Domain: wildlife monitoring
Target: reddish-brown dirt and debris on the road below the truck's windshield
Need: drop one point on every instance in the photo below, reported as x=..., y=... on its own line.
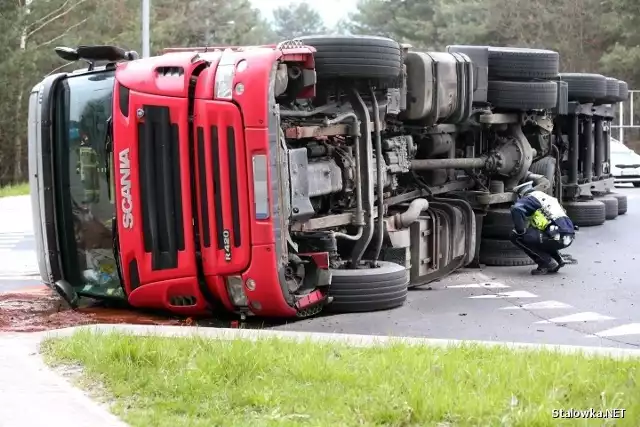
x=42, y=309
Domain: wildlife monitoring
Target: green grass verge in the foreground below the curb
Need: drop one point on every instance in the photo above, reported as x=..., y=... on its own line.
x=193, y=382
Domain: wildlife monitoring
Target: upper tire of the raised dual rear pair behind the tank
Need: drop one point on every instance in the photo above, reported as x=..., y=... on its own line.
x=518, y=63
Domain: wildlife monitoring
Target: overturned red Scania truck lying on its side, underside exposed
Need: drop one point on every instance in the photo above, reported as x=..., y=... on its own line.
x=328, y=172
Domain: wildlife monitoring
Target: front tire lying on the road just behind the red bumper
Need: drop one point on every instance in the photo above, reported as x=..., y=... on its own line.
x=372, y=289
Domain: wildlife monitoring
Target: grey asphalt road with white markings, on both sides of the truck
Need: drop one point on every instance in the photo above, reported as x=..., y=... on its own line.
x=592, y=303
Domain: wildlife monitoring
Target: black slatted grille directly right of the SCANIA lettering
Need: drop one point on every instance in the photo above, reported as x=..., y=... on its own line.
x=160, y=190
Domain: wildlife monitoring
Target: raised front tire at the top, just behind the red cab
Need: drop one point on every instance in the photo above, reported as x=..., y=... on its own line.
x=356, y=57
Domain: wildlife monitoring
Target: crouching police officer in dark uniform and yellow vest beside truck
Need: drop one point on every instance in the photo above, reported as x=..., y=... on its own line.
x=541, y=228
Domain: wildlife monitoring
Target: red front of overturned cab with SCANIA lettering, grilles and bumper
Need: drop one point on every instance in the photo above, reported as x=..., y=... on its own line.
x=195, y=136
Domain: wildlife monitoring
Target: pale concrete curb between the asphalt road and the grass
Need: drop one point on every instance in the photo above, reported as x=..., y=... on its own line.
x=349, y=339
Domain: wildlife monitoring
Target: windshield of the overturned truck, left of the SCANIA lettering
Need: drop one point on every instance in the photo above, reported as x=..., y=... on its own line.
x=85, y=210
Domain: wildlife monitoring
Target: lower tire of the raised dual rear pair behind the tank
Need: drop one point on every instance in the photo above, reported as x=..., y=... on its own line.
x=523, y=96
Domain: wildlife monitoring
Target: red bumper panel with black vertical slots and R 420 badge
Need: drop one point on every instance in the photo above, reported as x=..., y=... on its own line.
x=222, y=188
